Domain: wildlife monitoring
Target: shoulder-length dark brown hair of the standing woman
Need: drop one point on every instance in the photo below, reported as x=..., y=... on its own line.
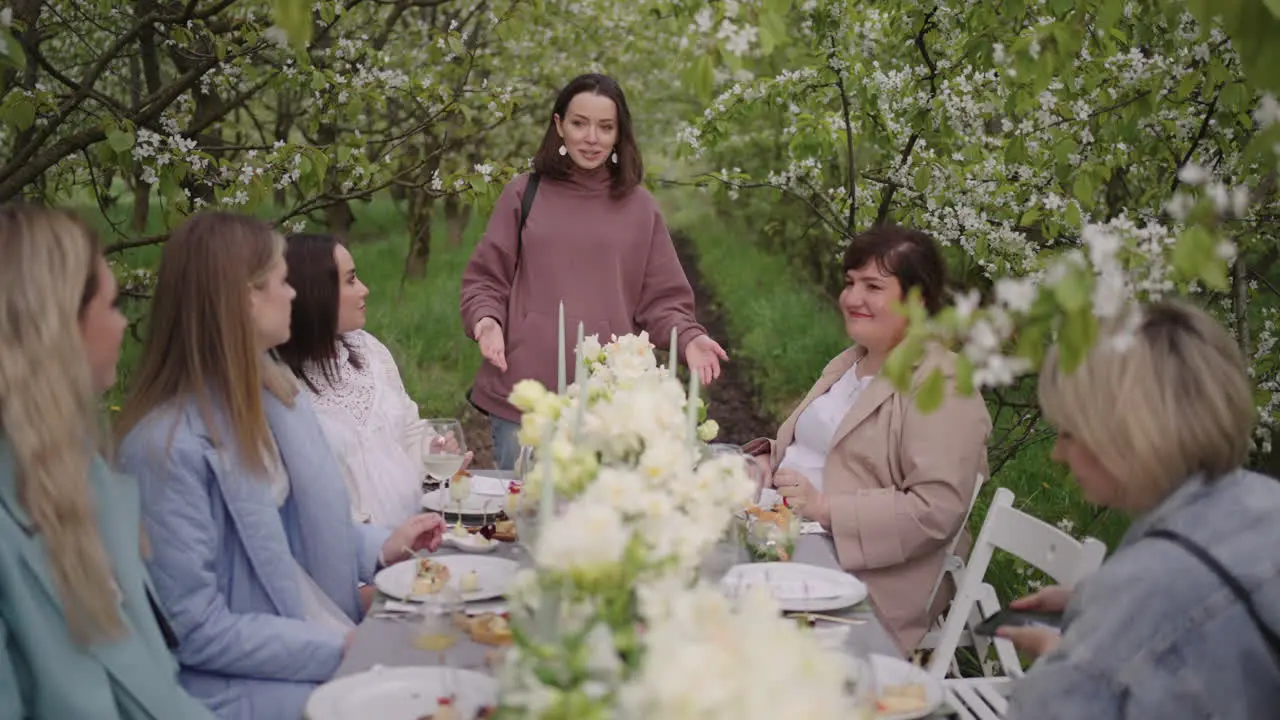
x=628, y=172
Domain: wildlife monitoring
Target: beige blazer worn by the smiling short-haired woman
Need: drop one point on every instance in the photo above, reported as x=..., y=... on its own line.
x=899, y=485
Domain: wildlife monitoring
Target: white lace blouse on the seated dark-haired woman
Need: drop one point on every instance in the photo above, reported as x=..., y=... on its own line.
x=374, y=430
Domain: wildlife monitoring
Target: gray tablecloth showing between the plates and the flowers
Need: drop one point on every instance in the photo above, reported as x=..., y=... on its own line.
x=390, y=641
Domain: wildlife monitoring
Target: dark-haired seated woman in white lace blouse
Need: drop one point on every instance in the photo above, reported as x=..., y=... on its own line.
x=372, y=423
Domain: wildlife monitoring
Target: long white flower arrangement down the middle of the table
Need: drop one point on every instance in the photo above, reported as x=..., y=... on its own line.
x=641, y=507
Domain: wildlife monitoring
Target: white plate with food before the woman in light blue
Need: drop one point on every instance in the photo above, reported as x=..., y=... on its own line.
x=476, y=577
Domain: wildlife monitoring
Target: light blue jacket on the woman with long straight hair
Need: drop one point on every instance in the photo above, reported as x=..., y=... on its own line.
x=223, y=557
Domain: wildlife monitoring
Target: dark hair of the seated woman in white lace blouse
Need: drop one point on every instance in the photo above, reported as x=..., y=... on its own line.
x=314, y=331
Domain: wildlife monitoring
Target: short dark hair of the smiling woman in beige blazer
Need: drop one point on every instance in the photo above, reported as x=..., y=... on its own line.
x=912, y=257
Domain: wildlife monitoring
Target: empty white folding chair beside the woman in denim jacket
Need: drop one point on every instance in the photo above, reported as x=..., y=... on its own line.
x=1048, y=549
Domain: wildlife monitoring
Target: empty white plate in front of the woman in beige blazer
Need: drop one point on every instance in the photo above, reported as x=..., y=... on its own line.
x=797, y=586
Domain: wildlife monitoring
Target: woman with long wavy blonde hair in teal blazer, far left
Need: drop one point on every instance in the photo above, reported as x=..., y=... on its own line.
x=80, y=635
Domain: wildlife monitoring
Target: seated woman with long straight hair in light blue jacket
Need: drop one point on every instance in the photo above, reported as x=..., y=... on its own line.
x=257, y=557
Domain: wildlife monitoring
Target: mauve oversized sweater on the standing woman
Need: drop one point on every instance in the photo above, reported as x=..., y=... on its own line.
x=611, y=261
